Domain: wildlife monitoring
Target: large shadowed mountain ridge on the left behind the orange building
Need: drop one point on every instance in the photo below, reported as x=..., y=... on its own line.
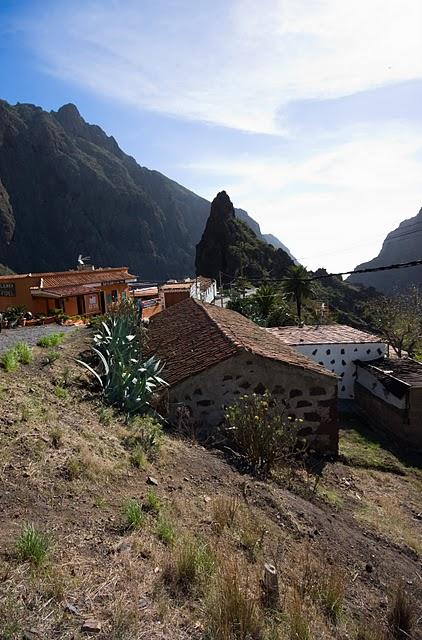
x=67, y=188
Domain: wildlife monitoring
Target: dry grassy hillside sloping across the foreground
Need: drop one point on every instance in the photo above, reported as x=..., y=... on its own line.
x=203, y=534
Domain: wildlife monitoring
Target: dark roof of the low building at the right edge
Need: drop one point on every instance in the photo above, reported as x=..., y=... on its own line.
x=395, y=370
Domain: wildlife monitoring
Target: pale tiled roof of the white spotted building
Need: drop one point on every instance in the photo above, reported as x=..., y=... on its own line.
x=323, y=334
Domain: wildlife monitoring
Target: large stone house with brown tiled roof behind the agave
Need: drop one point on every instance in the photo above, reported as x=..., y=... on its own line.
x=214, y=355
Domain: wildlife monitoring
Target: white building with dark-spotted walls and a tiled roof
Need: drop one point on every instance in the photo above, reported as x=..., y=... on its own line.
x=336, y=347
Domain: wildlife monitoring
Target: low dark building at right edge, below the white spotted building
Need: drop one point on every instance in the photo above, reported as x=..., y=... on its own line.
x=389, y=394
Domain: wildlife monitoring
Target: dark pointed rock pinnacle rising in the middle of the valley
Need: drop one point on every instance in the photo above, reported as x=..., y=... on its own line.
x=229, y=246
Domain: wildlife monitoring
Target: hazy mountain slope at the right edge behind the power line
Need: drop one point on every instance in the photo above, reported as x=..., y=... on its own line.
x=404, y=244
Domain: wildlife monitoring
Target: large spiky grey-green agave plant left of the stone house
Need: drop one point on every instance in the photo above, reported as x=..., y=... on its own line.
x=127, y=380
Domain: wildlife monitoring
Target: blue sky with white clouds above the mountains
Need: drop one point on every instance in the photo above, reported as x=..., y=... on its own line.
x=307, y=112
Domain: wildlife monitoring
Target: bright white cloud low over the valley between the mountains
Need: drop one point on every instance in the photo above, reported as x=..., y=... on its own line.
x=335, y=206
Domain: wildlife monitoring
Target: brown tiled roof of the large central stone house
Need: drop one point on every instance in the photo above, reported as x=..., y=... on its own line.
x=192, y=336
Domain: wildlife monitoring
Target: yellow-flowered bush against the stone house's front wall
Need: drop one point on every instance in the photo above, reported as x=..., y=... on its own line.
x=262, y=432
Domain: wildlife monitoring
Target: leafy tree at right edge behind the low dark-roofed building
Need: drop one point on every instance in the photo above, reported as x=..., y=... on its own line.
x=398, y=319
